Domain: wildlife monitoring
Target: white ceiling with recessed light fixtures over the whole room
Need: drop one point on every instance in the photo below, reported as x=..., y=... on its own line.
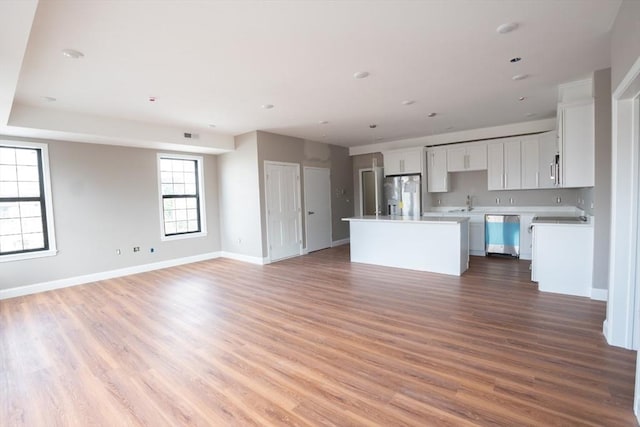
x=217, y=62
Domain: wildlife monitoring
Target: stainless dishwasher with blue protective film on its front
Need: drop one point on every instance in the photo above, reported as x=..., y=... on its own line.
x=502, y=234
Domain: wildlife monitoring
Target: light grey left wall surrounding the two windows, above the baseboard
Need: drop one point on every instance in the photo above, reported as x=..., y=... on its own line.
x=106, y=198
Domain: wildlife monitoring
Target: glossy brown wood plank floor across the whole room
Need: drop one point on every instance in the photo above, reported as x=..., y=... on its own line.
x=311, y=341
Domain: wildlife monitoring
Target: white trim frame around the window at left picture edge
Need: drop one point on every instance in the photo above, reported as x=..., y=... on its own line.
x=48, y=201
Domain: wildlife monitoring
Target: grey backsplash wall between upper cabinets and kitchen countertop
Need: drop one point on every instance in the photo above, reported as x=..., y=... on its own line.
x=474, y=184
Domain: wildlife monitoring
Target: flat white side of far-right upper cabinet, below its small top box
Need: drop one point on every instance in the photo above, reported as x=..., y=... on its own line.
x=578, y=145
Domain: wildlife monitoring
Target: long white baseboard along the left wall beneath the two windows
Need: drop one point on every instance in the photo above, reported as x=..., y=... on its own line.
x=104, y=275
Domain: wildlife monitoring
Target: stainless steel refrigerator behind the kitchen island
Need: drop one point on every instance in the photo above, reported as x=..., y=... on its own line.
x=403, y=195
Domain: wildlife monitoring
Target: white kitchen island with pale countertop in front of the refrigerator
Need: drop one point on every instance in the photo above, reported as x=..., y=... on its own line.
x=434, y=244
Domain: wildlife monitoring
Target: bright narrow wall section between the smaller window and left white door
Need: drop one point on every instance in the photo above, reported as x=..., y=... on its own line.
x=240, y=227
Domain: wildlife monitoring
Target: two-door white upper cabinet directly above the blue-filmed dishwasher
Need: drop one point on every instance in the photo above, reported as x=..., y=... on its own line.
x=503, y=161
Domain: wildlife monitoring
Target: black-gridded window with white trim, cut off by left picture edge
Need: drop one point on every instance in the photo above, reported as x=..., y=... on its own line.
x=26, y=218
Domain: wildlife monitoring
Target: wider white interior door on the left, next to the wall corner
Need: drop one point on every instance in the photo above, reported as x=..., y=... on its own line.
x=284, y=229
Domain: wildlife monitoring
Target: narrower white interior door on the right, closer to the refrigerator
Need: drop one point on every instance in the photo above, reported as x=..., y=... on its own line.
x=317, y=201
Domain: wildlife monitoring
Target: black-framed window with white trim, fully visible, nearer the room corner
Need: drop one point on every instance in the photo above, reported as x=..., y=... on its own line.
x=181, y=196
